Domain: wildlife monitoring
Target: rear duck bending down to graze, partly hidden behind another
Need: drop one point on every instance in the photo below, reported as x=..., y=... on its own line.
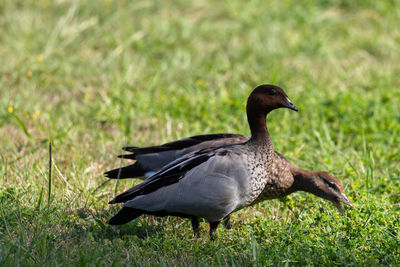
x=151, y=159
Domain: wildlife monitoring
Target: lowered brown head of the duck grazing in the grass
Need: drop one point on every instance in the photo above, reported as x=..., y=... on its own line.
x=330, y=188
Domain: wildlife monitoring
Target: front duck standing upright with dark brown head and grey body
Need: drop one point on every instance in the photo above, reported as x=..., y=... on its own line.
x=213, y=182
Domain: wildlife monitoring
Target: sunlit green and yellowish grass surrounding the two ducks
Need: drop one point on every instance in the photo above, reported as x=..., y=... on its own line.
x=93, y=76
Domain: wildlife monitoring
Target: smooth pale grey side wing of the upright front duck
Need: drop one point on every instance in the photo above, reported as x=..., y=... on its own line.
x=211, y=190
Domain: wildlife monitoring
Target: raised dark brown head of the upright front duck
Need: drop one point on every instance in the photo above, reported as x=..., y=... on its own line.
x=267, y=97
